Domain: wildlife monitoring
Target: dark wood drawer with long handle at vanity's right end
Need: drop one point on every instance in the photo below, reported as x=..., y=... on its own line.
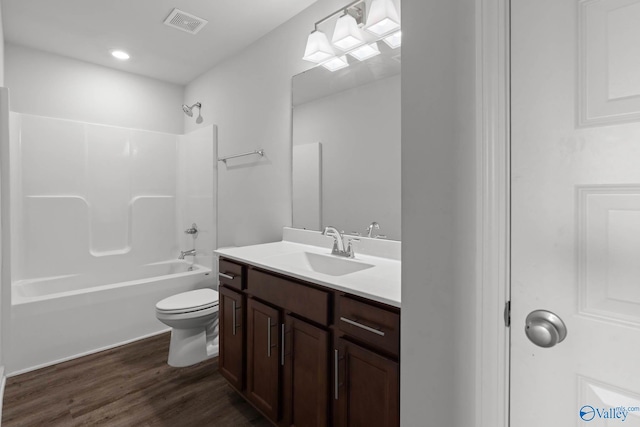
x=369, y=323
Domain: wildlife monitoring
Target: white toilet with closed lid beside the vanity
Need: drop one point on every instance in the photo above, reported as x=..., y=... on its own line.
x=193, y=317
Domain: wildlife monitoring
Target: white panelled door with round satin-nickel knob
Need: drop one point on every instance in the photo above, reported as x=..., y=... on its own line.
x=575, y=165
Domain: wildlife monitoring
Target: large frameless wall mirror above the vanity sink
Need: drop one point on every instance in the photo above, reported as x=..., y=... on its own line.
x=346, y=146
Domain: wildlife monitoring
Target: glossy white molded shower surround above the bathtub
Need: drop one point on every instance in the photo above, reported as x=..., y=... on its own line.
x=89, y=198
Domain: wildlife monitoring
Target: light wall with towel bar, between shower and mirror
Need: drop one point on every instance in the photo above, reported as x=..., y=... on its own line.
x=249, y=98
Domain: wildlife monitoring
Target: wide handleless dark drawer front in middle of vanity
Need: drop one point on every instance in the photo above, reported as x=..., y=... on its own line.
x=303, y=300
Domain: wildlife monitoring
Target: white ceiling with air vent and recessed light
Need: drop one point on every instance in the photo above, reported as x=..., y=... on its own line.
x=88, y=29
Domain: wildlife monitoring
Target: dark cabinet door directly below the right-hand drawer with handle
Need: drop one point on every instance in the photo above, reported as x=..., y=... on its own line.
x=366, y=387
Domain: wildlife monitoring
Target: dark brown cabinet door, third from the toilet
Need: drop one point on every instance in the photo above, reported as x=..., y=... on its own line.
x=306, y=374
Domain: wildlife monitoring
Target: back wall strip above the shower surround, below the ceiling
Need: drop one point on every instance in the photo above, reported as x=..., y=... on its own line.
x=50, y=85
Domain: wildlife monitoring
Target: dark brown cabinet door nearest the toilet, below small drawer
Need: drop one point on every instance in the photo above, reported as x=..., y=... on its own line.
x=231, y=331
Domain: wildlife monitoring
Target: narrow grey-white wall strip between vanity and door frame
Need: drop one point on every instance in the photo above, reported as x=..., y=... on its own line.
x=438, y=213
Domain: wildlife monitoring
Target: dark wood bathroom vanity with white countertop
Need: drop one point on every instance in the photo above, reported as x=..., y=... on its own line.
x=309, y=344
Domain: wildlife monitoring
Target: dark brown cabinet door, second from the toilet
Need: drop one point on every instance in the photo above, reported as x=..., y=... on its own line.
x=263, y=357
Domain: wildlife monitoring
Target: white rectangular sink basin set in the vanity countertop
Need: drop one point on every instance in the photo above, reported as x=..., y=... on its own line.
x=319, y=263
